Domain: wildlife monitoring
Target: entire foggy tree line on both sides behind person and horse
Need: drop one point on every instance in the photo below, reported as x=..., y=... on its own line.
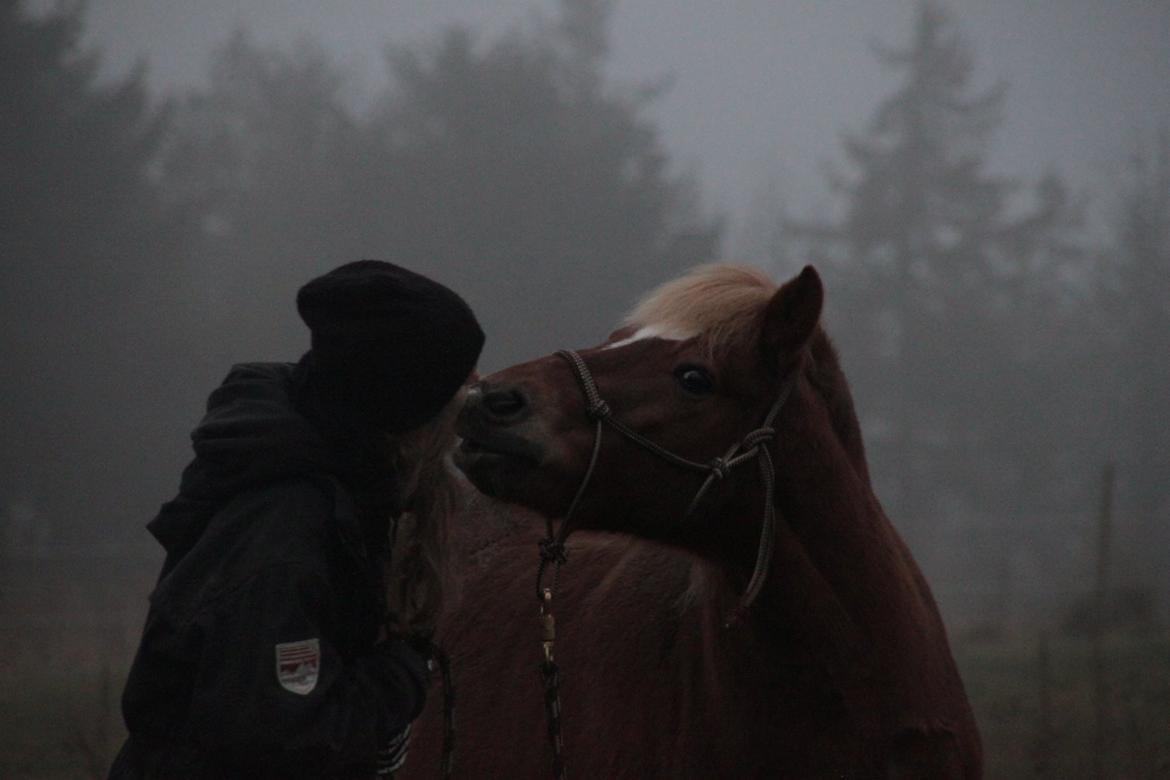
x=1001, y=355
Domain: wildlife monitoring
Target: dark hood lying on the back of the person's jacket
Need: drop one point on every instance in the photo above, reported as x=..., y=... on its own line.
x=251, y=436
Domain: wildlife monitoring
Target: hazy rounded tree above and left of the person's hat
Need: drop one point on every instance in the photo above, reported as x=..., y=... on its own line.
x=270, y=156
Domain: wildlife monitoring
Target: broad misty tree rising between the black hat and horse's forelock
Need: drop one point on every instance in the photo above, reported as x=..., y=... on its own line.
x=541, y=184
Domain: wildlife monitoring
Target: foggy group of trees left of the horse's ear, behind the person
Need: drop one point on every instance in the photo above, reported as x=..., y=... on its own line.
x=149, y=246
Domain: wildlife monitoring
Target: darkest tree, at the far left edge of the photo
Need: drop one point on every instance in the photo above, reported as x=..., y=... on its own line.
x=90, y=300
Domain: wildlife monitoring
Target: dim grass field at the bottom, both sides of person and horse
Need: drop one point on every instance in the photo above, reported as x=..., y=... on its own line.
x=61, y=722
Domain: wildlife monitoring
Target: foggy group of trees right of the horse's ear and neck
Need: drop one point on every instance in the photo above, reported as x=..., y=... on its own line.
x=1003, y=356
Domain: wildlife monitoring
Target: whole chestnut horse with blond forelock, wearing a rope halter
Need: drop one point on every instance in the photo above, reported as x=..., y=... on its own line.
x=841, y=667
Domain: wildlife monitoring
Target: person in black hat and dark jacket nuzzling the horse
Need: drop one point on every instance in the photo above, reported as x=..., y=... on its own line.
x=304, y=551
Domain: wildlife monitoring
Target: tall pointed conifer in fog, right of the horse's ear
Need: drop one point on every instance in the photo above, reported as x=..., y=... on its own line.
x=938, y=261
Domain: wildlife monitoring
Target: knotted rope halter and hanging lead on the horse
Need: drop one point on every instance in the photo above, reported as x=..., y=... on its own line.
x=753, y=446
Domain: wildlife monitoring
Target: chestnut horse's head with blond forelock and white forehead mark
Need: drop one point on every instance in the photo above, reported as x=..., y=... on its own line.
x=694, y=371
